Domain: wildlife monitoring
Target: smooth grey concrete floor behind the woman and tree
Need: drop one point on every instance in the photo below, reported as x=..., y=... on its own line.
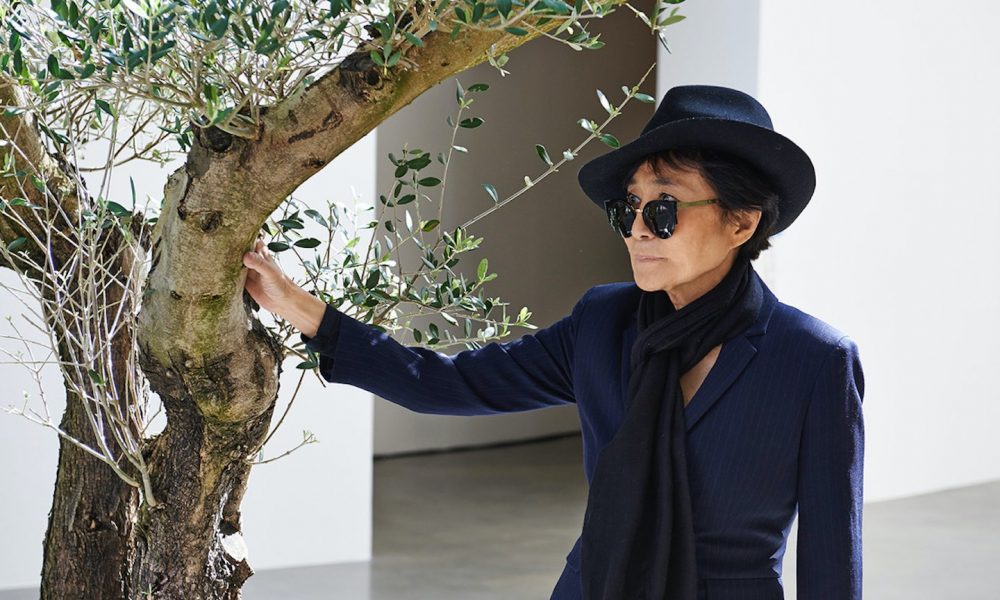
x=496, y=524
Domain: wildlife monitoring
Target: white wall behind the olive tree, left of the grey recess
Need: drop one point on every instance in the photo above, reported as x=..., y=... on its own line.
x=311, y=507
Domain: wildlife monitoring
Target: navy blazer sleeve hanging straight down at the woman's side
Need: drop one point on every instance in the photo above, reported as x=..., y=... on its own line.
x=830, y=490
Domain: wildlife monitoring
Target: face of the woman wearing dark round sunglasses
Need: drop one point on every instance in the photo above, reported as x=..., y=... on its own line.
x=702, y=248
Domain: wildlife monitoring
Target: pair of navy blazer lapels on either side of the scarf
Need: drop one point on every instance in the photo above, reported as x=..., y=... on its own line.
x=733, y=360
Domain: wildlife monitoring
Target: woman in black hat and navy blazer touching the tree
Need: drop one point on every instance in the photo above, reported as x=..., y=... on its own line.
x=711, y=412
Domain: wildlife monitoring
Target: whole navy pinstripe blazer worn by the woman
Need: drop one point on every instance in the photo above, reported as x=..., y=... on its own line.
x=775, y=430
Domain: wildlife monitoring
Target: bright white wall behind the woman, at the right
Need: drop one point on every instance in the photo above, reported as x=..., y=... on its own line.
x=896, y=104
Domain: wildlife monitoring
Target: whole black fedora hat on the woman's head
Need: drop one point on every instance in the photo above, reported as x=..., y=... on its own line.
x=717, y=118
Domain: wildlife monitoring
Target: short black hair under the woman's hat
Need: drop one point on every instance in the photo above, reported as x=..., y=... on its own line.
x=739, y=186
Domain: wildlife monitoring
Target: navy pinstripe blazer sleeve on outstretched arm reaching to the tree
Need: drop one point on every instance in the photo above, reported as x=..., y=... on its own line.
x=531, y=372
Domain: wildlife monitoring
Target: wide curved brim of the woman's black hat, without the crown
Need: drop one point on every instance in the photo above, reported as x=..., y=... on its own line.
x=779, y=159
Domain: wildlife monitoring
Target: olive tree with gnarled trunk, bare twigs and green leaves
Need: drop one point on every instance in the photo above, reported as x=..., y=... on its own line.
x=253, y=97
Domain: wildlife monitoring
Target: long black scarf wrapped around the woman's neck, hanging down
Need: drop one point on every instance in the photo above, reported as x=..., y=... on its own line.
x=638, y=532
